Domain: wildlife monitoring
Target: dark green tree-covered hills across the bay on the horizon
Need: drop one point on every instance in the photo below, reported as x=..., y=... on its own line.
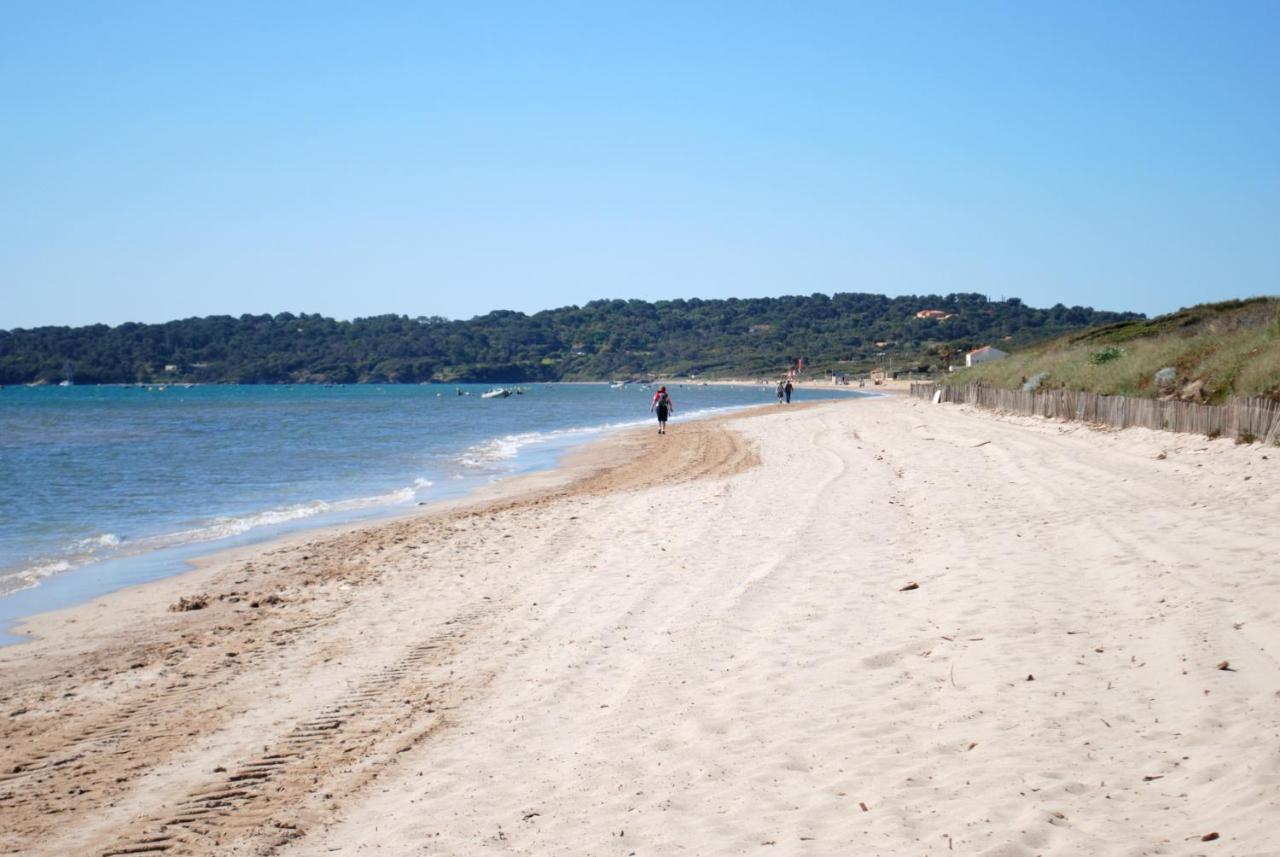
x=844, y=333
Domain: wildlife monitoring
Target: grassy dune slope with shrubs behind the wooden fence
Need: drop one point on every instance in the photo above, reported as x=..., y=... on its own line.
x=1209, y=354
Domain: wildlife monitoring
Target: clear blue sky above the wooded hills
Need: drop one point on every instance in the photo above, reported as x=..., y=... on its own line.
x=176, y=159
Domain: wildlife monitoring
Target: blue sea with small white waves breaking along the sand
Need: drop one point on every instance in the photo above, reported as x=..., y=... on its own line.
x=108, y=487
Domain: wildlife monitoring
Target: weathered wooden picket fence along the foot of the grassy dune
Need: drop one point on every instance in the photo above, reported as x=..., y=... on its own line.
x=1241, y=419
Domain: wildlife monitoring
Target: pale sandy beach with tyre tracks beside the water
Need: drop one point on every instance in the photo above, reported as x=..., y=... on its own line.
x=858, y=627
